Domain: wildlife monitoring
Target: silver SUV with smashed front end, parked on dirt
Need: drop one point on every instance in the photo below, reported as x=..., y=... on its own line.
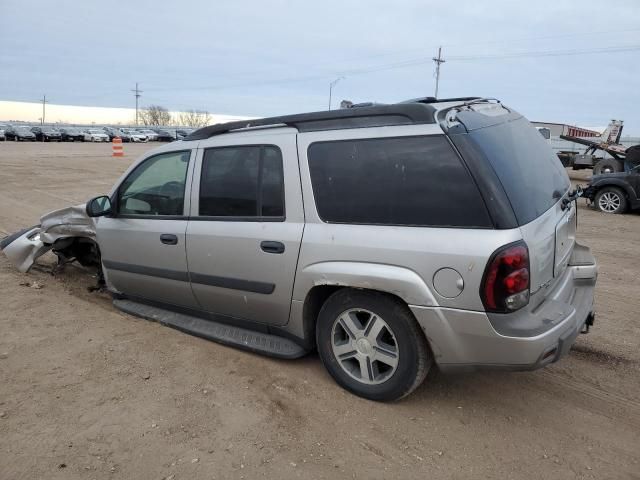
x=388, y=237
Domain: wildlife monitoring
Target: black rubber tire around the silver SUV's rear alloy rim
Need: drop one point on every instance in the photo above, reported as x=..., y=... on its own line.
x=413, y=355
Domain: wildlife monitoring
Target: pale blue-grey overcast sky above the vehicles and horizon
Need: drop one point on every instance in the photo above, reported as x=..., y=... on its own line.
x=556, y=61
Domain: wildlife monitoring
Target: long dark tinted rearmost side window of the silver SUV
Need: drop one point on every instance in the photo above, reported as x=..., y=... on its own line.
x=394, y=181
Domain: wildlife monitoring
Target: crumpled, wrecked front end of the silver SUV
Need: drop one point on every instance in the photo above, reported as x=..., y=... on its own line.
x=70, y=233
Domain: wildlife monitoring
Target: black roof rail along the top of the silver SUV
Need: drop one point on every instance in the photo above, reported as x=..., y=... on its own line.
x=370, y=116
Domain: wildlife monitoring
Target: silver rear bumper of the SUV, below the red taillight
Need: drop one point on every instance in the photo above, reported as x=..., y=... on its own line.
x=464, y=340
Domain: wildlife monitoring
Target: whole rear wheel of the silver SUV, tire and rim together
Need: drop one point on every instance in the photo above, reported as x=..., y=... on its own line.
x=384, y=357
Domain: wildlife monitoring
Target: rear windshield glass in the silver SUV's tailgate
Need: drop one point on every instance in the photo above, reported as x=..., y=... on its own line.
x=530, y=173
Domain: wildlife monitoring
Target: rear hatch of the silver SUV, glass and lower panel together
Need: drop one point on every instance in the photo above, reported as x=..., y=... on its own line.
x=534, y=183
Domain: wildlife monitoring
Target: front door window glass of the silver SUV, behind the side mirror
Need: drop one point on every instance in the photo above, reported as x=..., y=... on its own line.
x=156, y=186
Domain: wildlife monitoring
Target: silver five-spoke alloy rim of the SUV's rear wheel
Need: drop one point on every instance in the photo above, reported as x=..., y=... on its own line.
x=364, y=346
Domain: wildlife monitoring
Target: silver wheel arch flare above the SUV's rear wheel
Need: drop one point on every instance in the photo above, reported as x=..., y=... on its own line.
x=399, y=281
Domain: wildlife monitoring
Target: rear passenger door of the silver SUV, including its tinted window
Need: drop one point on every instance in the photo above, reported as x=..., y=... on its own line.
x=246, y=225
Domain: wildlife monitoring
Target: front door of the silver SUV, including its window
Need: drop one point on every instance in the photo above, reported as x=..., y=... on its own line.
x=143, y=243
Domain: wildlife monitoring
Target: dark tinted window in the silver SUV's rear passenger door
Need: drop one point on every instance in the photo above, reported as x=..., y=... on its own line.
x=245, y=181
